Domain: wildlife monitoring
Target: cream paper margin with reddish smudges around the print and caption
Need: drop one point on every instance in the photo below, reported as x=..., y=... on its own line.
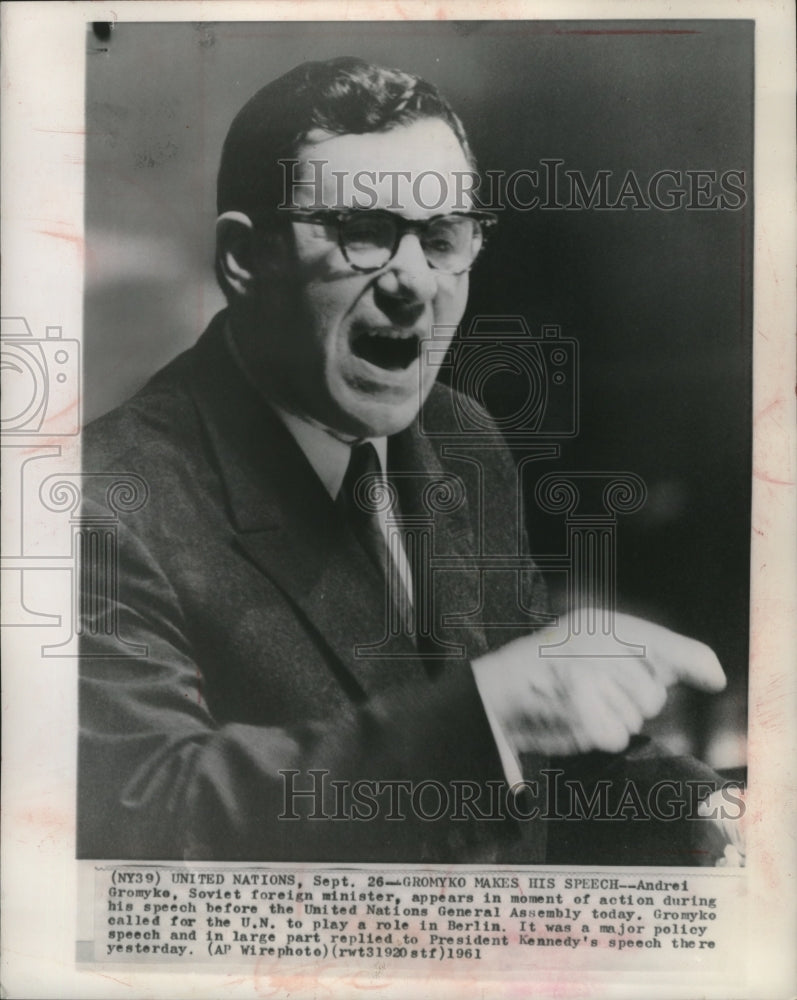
x=43, y=154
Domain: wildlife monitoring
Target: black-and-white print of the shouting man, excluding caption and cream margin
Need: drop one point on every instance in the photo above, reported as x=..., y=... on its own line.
x=450, y=503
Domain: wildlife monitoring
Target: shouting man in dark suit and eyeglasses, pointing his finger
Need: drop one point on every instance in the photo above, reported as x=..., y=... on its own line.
x=304, y=691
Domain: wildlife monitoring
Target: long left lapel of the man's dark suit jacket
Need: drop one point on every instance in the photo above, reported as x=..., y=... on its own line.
x=289, y=527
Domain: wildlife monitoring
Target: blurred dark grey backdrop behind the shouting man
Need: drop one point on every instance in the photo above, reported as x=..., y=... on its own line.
x=660, y=302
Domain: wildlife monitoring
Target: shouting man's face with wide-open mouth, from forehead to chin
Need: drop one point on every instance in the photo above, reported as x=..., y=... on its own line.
x=346, y=352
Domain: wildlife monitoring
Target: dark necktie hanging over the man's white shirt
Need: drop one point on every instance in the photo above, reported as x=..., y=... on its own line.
x=363, y=479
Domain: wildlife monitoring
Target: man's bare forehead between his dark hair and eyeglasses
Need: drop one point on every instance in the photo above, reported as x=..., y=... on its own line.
x=416, y=169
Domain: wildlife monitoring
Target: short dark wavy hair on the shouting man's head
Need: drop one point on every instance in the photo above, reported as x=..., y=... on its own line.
x=341, y=96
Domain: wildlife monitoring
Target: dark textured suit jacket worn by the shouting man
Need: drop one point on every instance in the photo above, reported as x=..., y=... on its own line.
x=249, y=592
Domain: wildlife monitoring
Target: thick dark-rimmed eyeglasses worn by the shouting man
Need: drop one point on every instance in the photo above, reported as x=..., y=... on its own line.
x=369, y=238
